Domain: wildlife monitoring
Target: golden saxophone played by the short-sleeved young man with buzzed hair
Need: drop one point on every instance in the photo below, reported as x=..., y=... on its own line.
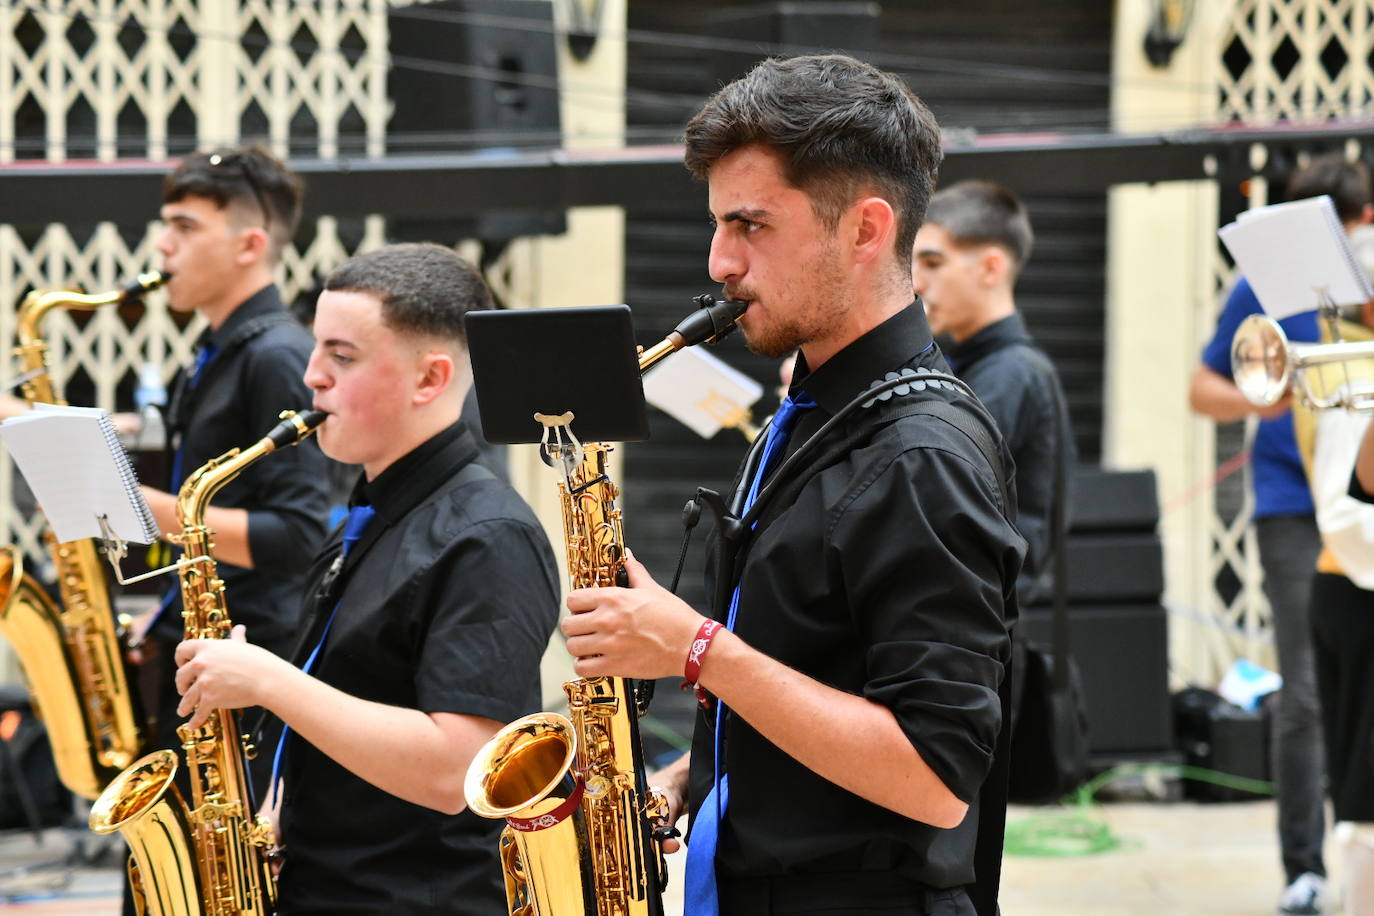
x=210, y=859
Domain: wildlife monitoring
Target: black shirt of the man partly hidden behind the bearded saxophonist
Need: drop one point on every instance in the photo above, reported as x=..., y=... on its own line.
x=1020, y=388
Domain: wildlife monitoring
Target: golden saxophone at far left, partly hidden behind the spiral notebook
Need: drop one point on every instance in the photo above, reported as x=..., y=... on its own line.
x=72, y=657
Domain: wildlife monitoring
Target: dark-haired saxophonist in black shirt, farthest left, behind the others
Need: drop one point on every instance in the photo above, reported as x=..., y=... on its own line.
x=227, y=216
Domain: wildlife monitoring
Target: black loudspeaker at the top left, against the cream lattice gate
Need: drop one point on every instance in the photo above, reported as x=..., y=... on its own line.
x=475, y=76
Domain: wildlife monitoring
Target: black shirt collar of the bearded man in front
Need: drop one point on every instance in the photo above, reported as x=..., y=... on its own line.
x=888, y=347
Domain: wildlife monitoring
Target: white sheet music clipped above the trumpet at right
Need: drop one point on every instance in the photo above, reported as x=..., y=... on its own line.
x=1292, y=253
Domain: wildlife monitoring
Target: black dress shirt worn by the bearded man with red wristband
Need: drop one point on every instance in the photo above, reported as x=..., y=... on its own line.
x=888, y=577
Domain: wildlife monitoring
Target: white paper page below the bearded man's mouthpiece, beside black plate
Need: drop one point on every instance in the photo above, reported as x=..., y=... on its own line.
x=700, y=391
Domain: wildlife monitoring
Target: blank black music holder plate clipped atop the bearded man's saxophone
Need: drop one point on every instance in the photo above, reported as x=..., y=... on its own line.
x=554, y=362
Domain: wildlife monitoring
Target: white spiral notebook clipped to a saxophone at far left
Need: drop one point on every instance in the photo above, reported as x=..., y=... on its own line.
x=78, y=470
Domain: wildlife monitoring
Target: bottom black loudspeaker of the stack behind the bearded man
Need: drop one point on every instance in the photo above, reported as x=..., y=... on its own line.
x=1122, y=653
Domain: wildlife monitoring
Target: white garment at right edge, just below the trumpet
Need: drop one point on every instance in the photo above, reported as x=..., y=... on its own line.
x=1347, y=524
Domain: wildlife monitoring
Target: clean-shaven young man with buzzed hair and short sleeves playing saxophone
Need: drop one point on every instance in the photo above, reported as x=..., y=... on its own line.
x=429, y=613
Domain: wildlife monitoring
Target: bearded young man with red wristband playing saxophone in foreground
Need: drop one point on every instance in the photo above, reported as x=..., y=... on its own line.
x=866, y=638
